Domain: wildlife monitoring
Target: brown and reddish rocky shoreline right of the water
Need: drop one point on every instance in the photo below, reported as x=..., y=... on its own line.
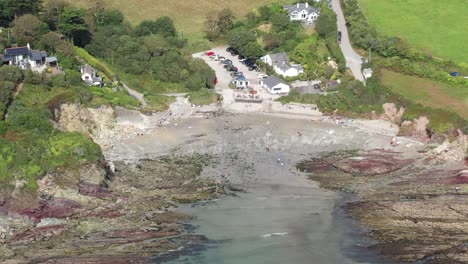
x=415, y=205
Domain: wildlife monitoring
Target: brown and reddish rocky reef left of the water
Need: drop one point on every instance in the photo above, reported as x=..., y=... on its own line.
x=96, y=216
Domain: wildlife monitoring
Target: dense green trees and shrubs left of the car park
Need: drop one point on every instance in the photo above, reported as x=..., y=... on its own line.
x=152, y=48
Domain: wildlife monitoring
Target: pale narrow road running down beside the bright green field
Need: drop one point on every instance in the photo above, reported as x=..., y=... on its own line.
x=353, y=59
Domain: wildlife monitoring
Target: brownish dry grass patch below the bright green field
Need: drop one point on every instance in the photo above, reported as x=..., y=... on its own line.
x=427, y=92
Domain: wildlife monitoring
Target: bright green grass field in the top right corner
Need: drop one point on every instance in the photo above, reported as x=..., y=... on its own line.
x=438, y=27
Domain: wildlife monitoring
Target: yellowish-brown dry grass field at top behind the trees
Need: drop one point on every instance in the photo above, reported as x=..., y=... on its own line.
x=188, y=15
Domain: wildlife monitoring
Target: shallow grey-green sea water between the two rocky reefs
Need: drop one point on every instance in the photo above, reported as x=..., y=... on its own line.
x=269, y=225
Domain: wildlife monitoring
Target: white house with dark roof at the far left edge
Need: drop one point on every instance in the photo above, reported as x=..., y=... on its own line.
x=24, y=57
